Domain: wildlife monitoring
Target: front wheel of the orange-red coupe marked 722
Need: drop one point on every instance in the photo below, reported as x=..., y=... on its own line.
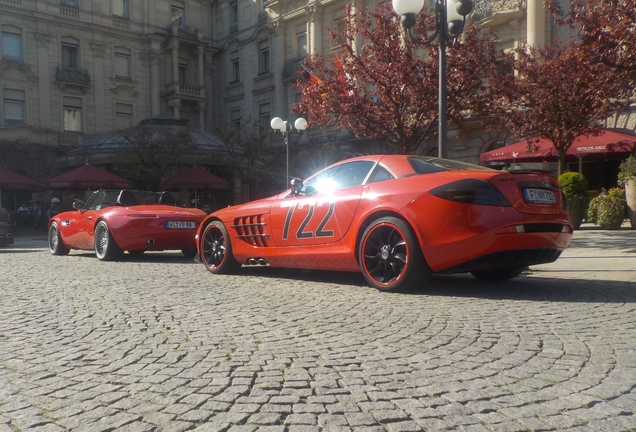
x=216, y=249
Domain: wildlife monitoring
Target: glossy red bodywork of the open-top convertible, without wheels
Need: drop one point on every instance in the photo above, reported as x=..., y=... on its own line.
x=134, y=228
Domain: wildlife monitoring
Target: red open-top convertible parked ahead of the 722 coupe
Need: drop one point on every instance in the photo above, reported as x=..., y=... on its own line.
x=113, y=221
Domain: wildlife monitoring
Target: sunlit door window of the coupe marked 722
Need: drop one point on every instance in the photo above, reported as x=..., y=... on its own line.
x=339, y=177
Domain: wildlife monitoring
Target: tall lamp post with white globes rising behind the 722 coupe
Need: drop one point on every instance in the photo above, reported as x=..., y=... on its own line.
x=450, y=18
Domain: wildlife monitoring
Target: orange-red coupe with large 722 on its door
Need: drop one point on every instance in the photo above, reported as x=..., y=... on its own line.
x=398, y=219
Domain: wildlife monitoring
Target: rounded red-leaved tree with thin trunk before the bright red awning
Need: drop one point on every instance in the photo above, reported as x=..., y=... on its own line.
x=550, y=93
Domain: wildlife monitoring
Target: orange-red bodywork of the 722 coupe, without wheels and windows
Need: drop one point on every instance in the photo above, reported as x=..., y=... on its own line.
x=322, y=231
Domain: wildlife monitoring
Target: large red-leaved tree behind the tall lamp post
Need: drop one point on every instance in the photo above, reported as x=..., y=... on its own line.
x=385, y=90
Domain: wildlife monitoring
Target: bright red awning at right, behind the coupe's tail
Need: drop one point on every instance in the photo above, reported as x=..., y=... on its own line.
x=607, y=145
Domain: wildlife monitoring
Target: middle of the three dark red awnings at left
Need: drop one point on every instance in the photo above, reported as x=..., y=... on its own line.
x=88, y=176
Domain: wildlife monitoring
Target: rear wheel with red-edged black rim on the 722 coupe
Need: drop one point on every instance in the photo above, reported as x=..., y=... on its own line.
x=390, y=256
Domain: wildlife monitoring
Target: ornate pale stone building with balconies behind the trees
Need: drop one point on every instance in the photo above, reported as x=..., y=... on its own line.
x=74, y=69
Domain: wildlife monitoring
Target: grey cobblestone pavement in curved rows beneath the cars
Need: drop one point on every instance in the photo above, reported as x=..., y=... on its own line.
x=158, y=343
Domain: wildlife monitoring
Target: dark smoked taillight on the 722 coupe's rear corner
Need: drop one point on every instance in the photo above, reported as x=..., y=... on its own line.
x=471, y=191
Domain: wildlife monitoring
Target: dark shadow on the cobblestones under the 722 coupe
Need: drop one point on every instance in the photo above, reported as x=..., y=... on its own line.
x=521, y=288
